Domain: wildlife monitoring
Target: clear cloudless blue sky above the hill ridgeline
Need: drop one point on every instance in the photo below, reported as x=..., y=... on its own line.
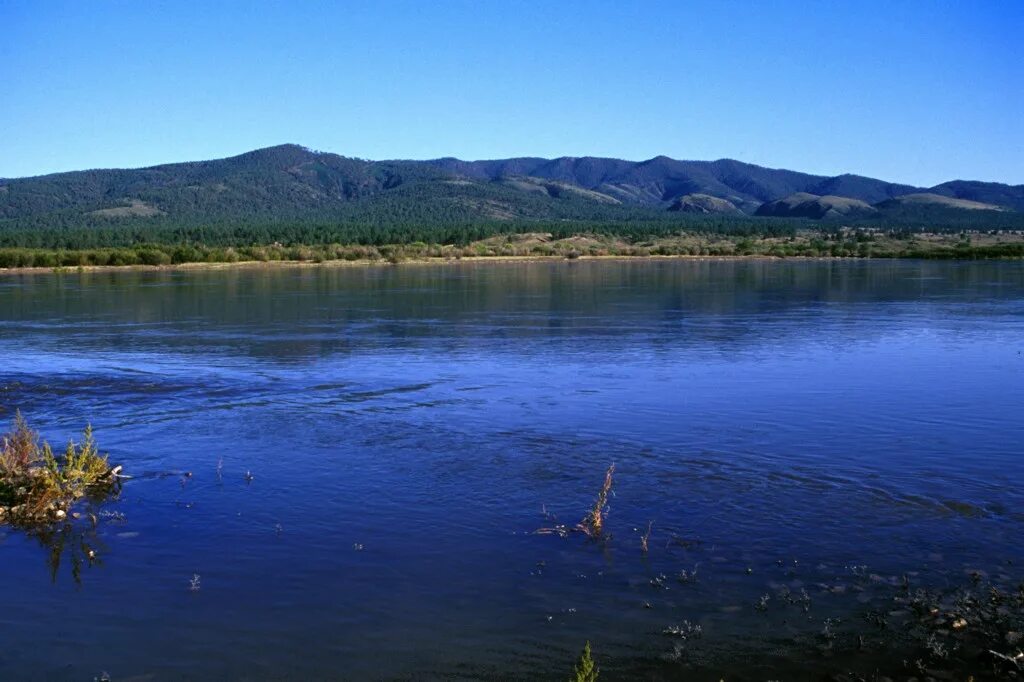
x=919, y=93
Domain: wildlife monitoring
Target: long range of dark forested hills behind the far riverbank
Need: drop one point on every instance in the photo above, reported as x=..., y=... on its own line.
x=293, y=186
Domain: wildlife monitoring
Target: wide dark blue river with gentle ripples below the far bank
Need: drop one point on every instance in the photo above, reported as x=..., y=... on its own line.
x=802, y=436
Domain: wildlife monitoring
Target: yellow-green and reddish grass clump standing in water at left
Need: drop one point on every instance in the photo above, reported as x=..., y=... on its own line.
x=38, y=487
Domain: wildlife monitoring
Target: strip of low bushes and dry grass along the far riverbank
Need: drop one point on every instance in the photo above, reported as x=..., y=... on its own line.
x=798, y=244
